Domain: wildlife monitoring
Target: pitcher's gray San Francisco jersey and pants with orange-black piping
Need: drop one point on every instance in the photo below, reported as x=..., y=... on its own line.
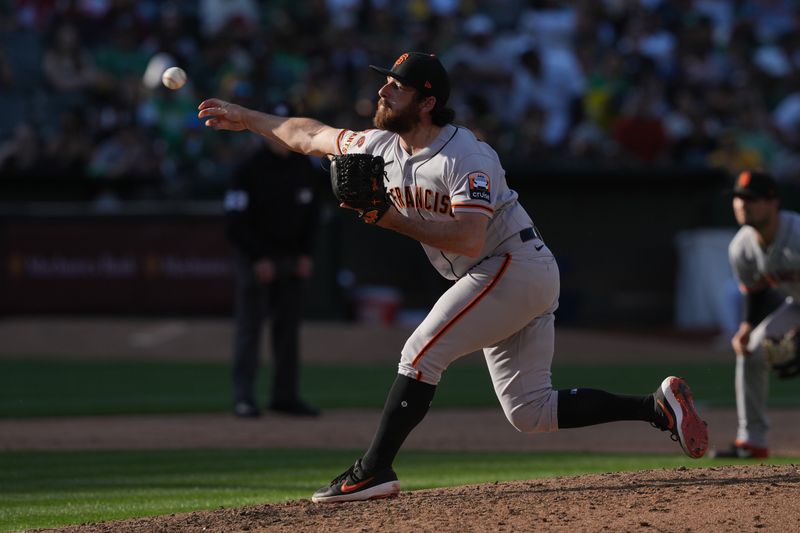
x=503, y=301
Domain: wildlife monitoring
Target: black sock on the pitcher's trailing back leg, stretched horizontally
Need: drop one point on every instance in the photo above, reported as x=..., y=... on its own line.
x=587, y=407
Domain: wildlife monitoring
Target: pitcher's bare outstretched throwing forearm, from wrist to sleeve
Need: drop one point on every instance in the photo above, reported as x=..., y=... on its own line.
x=299, y=134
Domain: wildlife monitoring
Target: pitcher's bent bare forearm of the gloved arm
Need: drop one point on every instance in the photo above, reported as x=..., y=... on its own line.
x=459, y=236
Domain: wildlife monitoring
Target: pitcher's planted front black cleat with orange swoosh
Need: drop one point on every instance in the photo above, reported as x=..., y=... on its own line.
x=355, y=485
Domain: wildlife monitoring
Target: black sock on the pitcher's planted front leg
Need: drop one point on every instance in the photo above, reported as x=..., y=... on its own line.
x=406, y=405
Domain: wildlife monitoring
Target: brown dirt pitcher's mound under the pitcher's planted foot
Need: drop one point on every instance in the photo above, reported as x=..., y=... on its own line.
x=724, y=499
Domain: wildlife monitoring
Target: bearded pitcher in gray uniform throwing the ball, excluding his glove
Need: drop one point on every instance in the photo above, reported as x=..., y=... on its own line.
x=449, y=192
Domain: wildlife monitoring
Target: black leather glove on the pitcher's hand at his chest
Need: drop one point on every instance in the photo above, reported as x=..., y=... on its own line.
x=358, y=181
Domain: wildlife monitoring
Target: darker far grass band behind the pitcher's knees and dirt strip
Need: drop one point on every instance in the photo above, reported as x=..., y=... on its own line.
x=68, y=388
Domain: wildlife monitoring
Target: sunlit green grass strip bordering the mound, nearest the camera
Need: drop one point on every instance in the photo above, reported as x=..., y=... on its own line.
x=50, y=489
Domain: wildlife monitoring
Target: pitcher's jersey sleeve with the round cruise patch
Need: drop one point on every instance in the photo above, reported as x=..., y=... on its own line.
x=474, y=185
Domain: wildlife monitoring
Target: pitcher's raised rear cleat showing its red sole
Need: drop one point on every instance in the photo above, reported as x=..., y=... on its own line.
x=675, y=413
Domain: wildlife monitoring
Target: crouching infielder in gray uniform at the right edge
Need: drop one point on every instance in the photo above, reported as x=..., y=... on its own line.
x=764, y=255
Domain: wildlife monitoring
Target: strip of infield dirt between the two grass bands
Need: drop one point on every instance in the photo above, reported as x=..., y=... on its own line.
x=442, y=429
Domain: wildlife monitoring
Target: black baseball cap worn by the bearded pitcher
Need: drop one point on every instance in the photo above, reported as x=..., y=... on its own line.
x=422, y=71
